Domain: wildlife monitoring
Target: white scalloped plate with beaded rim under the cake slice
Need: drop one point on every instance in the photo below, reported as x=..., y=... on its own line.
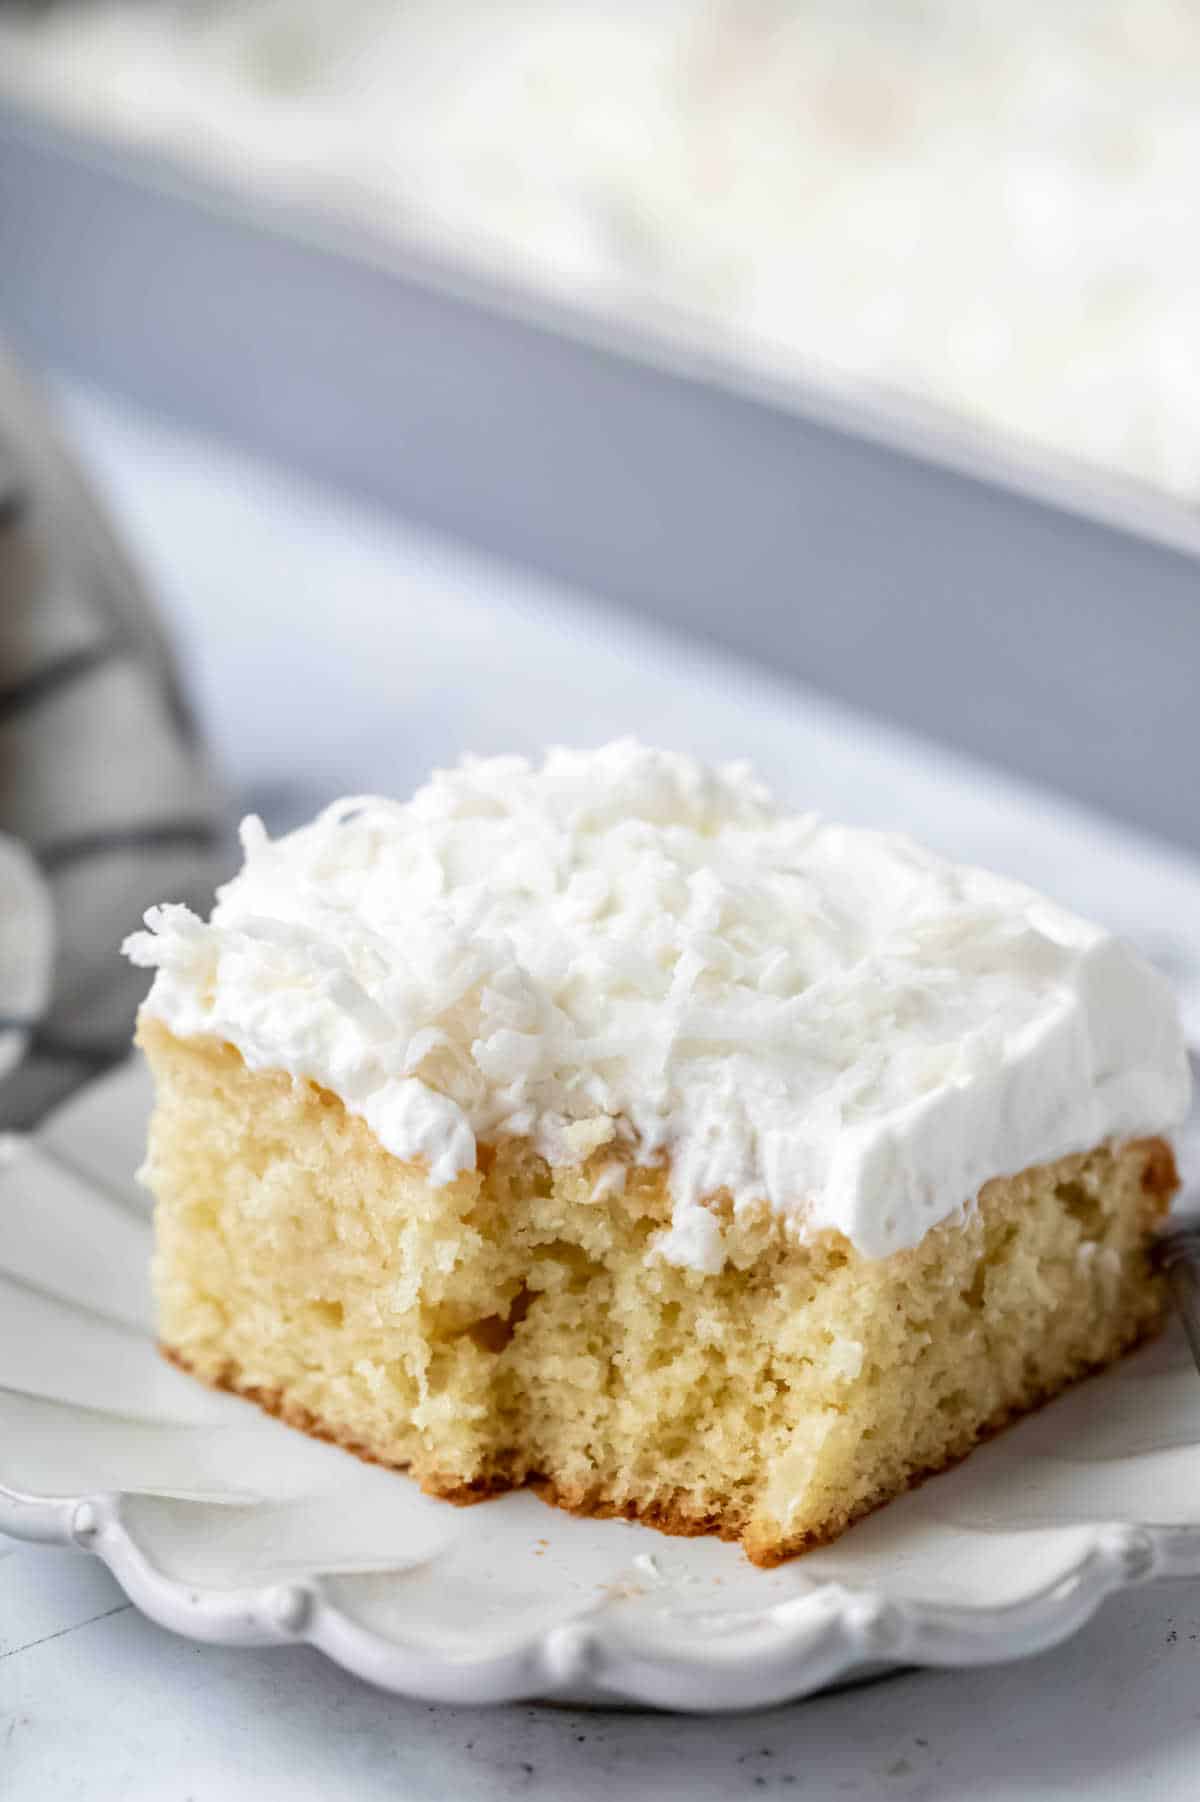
x=228, y=1527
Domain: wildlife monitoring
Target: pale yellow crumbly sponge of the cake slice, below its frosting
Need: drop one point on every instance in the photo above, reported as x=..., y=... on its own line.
x=514, y=1325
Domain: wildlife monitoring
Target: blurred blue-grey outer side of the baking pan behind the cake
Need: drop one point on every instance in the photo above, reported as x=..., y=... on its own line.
x=1026, y=612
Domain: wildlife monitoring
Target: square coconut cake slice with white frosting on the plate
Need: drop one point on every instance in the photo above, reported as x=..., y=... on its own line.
x=601, y=1127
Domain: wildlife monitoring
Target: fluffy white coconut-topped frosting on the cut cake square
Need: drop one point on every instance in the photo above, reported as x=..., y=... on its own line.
x=626, y=947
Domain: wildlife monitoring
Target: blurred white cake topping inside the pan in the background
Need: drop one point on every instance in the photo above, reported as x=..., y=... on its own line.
x=992, y=208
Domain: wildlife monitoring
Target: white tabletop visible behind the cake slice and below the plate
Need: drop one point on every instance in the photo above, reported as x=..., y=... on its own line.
x=336, y=651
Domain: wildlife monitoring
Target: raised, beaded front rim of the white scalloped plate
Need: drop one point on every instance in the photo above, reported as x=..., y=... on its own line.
x=785, y=1653
